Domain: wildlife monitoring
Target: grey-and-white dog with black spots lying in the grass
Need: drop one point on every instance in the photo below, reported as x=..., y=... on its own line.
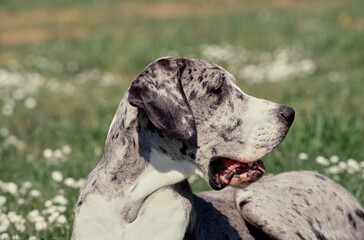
x=182, y=117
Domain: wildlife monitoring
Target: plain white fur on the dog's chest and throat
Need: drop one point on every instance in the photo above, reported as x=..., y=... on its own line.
x=165, y=212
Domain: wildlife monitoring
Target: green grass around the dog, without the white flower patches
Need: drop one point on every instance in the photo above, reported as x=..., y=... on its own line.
x=329, y=115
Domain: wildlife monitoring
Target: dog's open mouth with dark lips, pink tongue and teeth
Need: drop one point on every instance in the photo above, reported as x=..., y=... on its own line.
x=225, y=172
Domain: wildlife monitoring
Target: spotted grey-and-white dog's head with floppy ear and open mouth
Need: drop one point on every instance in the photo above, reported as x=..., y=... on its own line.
x=199, y=104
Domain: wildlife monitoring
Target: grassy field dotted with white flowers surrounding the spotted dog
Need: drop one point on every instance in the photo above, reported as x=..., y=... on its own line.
x=65, y=66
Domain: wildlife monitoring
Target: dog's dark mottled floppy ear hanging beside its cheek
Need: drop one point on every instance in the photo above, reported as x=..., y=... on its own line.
x=158, y=90
